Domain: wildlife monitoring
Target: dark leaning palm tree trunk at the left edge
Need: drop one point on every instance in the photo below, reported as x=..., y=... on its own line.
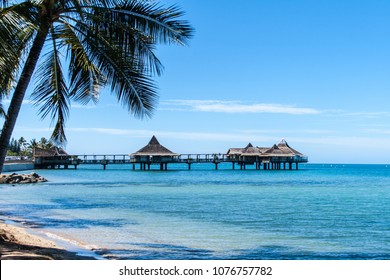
x=19, y=93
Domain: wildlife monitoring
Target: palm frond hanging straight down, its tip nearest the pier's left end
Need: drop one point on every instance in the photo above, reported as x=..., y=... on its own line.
x=51, y=93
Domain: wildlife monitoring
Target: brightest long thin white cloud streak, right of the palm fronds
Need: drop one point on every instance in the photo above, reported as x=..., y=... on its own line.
x=235, y=107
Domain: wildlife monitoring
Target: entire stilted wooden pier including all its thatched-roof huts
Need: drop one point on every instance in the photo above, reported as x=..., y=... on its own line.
x=277, y=157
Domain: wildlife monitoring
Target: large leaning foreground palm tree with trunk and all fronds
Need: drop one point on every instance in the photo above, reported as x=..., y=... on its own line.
x=102, y=42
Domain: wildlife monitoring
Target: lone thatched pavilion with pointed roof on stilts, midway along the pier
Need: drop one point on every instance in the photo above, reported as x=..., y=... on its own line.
x=153, y=153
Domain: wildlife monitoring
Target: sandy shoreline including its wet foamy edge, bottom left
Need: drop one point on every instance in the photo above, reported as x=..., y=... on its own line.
x=18, y=242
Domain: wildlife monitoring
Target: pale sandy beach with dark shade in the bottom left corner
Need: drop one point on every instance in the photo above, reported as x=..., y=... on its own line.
x=17, y=244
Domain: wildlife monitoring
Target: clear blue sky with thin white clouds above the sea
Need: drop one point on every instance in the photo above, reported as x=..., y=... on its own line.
x=315, y=73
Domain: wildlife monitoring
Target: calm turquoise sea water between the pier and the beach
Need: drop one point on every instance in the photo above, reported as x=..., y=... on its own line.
x=317, y=212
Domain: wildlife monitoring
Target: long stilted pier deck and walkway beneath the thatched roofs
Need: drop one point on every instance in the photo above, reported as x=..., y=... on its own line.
x=145, y=163
